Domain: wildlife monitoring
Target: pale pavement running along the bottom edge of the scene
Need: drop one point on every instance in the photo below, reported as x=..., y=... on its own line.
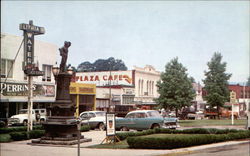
x=21, y=148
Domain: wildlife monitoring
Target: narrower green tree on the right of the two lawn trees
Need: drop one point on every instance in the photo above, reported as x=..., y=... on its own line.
x=216, y=82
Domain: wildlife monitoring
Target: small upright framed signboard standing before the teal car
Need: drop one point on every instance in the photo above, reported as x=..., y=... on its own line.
x=110, y=121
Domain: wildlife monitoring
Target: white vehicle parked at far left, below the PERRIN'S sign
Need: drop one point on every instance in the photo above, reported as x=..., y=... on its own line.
x=38, y=116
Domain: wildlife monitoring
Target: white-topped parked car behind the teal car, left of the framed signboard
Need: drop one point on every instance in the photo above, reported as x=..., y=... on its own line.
x=95, y=119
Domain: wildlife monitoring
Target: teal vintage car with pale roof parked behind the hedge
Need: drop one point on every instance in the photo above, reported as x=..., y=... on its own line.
x=145, y=119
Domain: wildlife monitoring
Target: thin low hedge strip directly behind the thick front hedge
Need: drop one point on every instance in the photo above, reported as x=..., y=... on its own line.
x=123, y=136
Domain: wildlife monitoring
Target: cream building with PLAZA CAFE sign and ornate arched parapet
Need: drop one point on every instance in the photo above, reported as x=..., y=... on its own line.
x=131, y=87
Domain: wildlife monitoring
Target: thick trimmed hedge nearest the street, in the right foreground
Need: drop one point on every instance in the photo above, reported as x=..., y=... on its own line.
x=178, y=141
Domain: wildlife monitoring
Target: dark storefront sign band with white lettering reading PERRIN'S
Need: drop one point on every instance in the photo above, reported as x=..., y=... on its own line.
x=21, y=89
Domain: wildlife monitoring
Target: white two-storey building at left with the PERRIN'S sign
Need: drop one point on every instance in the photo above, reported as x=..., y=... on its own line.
x=14, y=88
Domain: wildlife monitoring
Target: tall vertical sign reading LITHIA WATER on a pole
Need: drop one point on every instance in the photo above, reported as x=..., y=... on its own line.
x=29, y=31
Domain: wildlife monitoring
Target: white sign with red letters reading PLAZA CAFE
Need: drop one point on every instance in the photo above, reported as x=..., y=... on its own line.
x=106, y=78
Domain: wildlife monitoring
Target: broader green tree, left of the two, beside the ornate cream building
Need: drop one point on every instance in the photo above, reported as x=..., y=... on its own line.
x=175, y=87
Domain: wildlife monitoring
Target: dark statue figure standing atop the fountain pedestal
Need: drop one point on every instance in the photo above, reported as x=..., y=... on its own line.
x=64, y=54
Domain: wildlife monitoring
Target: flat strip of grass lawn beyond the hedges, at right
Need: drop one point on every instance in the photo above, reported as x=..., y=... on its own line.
x=222, y=122
